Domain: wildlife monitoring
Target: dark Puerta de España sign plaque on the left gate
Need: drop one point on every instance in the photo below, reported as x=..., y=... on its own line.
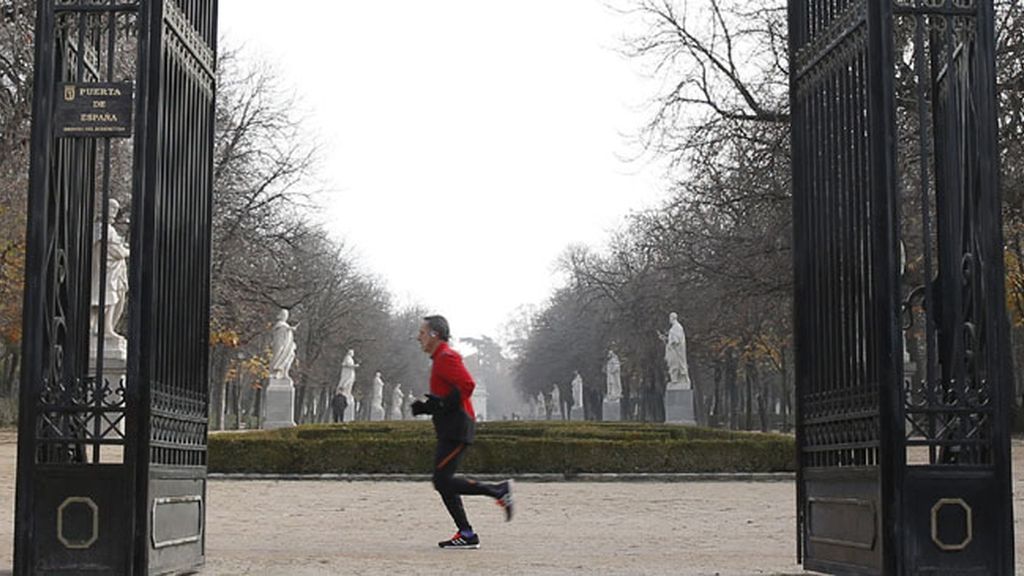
x=94, y=110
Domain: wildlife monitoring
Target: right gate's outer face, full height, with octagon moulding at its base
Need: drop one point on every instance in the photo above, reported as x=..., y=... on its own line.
x=957, y=373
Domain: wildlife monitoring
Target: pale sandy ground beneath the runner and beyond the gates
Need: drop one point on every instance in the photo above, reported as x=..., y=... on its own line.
x=325, y=528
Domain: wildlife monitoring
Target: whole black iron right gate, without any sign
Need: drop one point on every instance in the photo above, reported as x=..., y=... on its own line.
x=904, y=365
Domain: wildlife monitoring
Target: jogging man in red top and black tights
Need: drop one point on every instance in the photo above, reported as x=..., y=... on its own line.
x=449, y=404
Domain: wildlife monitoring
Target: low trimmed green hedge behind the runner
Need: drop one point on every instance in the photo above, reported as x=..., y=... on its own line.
x=502, y=448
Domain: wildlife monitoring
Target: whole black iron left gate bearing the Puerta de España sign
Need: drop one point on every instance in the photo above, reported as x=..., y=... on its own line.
x=112, y=434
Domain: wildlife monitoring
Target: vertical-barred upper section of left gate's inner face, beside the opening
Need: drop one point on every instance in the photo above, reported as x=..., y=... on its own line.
x=179, y=255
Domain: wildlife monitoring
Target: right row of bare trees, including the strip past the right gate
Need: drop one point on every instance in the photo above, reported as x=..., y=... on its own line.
x=718, y=250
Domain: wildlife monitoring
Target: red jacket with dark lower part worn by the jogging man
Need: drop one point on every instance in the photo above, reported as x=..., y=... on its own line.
x=448, y=376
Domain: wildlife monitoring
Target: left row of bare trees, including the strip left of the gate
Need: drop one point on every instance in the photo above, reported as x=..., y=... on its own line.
x=269, y=253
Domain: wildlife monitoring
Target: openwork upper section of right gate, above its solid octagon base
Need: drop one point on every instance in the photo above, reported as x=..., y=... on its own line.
x=951, y=395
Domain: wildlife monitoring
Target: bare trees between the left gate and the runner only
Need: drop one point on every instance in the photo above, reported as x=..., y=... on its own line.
x=270, y=256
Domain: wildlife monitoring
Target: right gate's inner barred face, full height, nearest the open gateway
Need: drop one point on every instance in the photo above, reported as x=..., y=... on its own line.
x=841, y=239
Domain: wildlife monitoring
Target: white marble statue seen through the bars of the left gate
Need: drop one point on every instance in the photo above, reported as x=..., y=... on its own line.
x=115, y=287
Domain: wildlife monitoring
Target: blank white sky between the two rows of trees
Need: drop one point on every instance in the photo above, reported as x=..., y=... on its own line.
x=467, y=143
